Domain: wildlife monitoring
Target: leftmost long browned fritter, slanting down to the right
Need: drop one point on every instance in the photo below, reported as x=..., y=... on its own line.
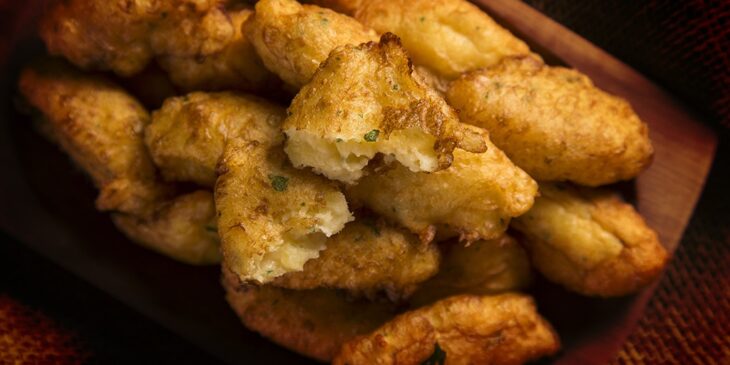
x=101, y=127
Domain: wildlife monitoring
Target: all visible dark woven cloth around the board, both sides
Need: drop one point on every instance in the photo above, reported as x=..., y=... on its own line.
x=48, y=316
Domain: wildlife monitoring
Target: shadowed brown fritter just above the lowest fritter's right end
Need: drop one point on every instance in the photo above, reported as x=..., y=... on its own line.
x=484, y=267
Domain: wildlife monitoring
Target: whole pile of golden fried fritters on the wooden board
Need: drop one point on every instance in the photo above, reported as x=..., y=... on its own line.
x=377, y=178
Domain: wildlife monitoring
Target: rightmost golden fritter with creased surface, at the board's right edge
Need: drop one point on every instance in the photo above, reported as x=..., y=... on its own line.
x=590, y=241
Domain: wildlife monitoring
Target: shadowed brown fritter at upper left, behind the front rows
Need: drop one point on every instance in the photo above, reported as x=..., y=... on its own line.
x=235, y=67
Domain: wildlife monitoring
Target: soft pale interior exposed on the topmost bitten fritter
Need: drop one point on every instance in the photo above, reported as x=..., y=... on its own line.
x=343, y=159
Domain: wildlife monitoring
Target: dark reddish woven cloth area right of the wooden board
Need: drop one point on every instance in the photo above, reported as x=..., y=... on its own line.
x=683, y=45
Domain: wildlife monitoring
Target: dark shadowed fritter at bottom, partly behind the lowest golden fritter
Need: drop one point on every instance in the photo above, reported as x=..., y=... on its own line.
x=314, y=323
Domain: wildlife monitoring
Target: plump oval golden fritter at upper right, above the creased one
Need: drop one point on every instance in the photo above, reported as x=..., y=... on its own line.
x=554, y=123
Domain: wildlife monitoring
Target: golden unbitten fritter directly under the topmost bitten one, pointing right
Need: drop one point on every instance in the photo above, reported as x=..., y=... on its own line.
x=475, y=197
